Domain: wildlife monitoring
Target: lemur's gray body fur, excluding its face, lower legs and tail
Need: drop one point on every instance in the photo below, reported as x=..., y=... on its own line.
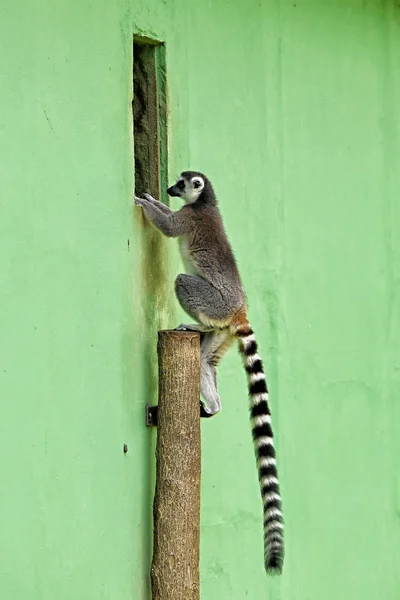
x=215, y=290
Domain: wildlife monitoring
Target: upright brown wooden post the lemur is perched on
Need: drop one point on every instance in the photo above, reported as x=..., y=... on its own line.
x=175, y=566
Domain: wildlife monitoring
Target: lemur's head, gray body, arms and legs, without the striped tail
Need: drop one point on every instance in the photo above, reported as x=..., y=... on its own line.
x=212, y=290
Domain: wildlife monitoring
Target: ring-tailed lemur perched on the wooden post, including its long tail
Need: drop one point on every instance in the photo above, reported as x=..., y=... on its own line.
x=211, y=292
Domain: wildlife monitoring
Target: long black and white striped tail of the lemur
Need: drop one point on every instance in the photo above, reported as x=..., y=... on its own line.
x=265, y=451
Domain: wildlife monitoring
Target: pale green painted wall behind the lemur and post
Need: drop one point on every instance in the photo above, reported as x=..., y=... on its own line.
x=292, y=108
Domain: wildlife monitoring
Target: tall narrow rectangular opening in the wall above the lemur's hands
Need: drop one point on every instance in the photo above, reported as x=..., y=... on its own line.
x=149, y=118
